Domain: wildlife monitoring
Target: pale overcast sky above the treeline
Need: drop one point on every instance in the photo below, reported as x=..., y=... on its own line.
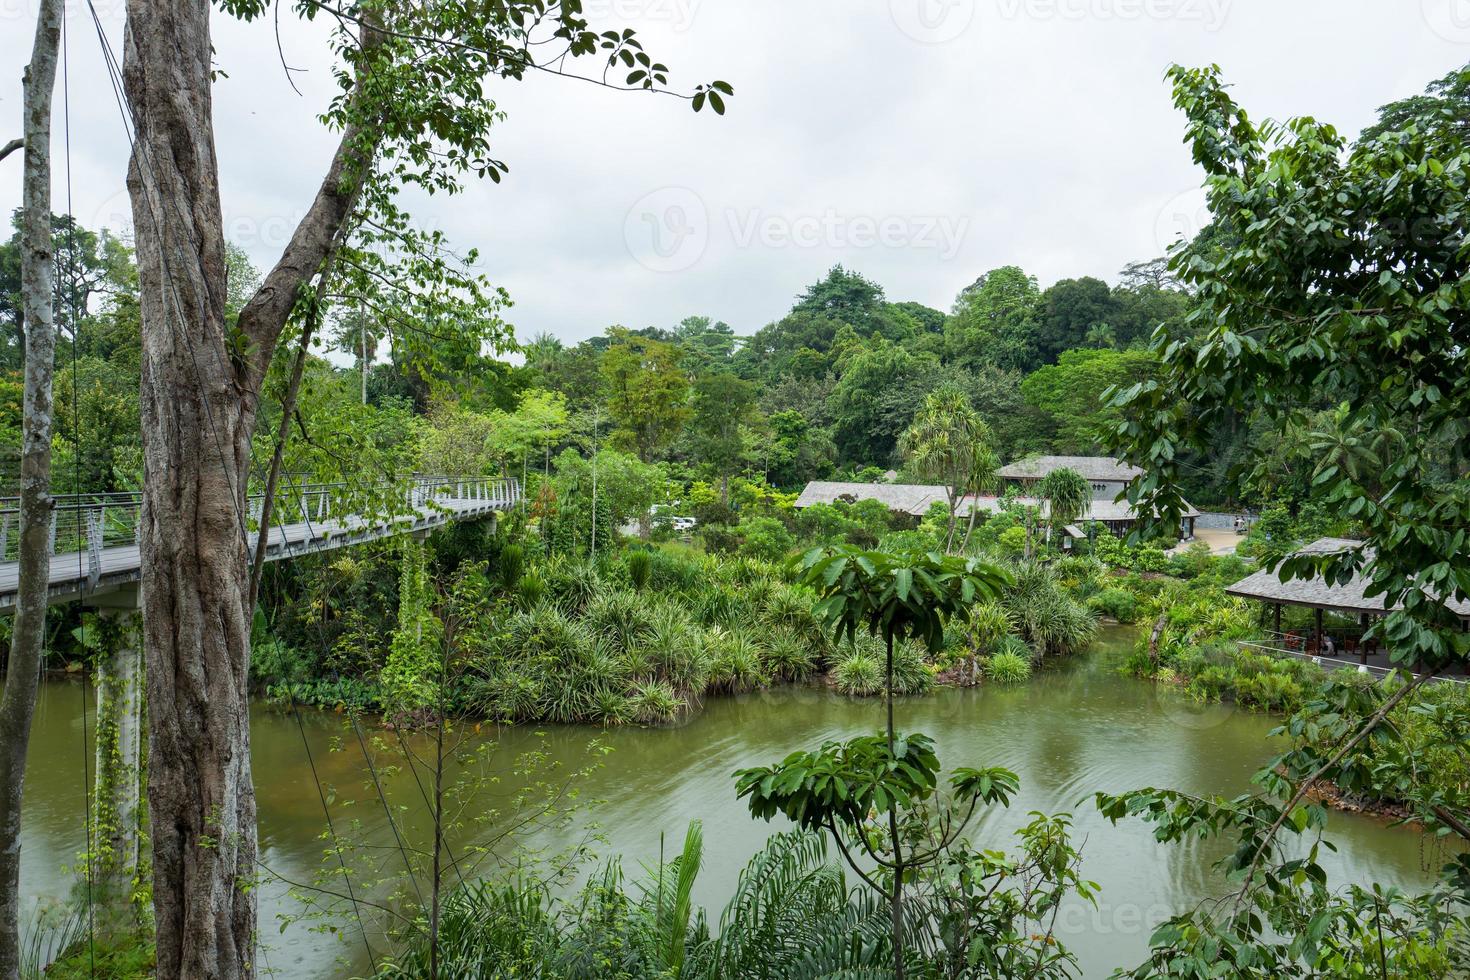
x=918, y=142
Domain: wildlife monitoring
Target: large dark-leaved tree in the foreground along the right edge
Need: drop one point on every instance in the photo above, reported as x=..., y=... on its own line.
x=1344, y=281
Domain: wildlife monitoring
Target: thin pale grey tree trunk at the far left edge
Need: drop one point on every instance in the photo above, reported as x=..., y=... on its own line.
x=29, y=637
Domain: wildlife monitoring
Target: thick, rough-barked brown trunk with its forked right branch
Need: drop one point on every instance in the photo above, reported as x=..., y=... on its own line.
x=201, y=393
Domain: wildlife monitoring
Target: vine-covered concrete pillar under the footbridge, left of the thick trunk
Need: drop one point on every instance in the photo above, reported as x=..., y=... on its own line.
x=121, y=687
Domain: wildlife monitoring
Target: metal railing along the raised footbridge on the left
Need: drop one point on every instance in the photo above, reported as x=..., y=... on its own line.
x=85, y=525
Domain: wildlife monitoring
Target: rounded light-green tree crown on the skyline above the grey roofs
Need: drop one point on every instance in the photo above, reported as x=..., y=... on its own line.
x=994, y=320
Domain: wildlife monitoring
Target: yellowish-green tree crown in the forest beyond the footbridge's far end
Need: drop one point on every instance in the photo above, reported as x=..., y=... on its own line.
x=648, y=393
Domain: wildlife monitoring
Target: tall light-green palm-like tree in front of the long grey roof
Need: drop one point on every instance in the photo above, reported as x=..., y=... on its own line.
x=950, y=443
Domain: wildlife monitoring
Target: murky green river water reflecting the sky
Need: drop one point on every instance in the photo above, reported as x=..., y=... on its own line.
x=1068, y=734
